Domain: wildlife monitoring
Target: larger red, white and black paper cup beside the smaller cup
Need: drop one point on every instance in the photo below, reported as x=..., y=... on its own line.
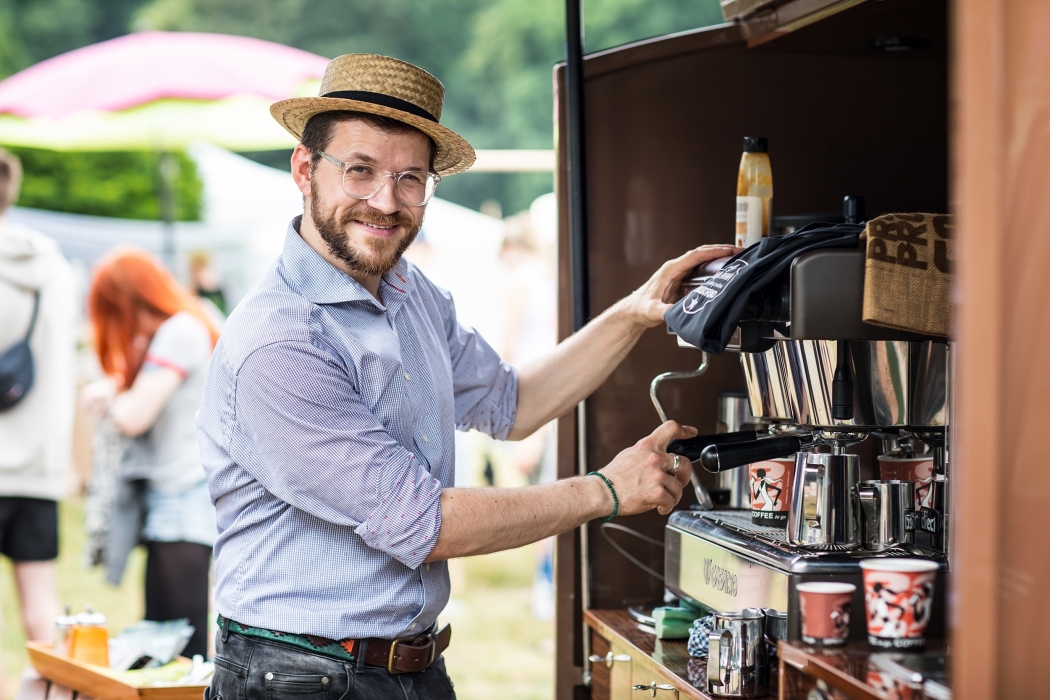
x=898, y=600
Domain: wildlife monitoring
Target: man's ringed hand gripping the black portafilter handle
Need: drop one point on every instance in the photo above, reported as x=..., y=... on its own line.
x=642, y=475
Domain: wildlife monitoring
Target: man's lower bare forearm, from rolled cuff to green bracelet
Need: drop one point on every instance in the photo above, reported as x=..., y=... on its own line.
x=480, y=521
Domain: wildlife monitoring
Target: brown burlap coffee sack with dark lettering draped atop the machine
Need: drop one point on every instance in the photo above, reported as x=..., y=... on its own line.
x=908, y=272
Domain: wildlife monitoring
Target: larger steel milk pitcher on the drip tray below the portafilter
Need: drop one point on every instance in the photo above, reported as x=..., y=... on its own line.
x=824, y=511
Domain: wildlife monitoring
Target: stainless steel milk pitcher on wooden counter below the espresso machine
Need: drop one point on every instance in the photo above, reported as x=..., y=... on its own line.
x=738, y=665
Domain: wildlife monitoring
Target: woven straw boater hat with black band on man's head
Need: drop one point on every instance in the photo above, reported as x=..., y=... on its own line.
x=385, y=87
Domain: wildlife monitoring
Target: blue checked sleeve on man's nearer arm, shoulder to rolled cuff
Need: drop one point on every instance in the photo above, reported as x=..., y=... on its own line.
x=338, y=462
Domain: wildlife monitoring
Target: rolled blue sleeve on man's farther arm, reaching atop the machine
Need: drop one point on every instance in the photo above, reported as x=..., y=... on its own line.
x=486, y=387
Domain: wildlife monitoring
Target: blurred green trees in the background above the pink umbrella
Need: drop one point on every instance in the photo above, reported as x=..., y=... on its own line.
x=495, y=57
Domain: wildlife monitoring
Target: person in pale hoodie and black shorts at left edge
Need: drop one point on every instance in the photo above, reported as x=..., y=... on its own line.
x=36, y=433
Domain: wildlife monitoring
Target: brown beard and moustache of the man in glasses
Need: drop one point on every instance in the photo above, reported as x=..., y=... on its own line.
x=381, y=257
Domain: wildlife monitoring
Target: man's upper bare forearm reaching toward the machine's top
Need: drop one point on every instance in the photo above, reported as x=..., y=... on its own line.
x=553, y=385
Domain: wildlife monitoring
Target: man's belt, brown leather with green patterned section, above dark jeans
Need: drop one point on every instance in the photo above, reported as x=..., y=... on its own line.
x=398, y=656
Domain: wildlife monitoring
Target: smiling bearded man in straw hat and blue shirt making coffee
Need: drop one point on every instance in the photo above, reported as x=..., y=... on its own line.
x=327, y=423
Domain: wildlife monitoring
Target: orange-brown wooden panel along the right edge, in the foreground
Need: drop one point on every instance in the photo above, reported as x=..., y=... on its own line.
x=1001, y=83
